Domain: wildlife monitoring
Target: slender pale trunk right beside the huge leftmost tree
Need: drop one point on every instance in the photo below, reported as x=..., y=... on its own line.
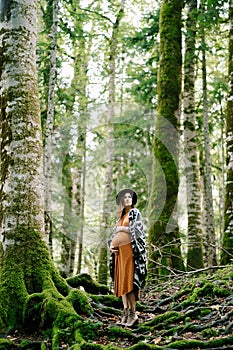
x=49, y=129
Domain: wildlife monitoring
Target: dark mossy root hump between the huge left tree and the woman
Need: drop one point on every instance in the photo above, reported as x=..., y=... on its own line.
x=84, y=280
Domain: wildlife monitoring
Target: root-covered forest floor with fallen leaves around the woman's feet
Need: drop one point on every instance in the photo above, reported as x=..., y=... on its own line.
x=187, y=311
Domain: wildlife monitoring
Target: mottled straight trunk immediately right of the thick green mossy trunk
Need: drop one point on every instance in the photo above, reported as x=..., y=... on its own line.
x=194, y=254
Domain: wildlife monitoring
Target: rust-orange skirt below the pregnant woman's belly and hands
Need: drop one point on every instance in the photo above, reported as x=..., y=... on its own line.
x=124, y=271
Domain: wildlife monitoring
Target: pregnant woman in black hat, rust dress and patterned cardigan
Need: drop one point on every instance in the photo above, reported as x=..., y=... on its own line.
x=128, y=255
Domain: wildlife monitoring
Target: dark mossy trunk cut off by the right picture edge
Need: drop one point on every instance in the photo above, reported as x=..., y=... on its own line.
x=227, y=247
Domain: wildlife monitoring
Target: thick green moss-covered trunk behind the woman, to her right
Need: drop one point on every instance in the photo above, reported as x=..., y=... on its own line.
x=164, y=237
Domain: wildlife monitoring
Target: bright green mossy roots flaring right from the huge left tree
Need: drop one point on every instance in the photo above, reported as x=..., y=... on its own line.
x=51, y=310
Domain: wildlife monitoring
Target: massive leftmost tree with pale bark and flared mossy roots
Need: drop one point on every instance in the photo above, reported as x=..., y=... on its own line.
x=31, y=290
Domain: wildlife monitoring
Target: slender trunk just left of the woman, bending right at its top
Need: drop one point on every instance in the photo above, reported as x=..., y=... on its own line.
x=107, y=209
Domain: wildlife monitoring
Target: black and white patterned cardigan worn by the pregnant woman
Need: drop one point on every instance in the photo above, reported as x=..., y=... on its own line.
x=139, y=248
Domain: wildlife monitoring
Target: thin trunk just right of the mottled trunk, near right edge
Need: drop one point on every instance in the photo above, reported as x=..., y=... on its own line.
x=209, y=237
